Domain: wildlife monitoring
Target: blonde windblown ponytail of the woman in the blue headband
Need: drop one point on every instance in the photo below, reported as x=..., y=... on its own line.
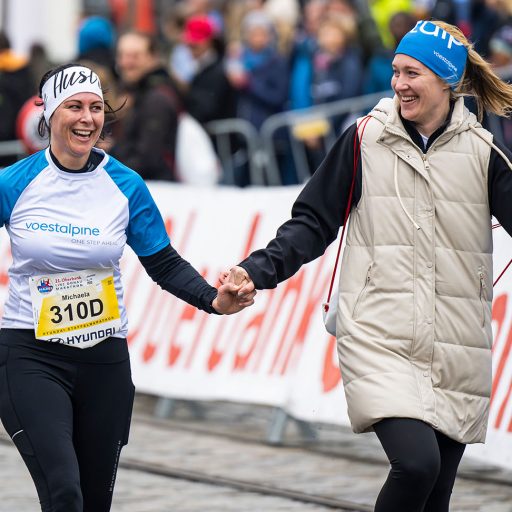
x=491, y=93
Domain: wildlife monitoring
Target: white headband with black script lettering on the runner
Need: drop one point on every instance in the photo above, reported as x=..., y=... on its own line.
x=65, y=84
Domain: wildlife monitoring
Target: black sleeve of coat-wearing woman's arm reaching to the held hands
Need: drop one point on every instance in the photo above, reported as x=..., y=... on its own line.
x=317, y=215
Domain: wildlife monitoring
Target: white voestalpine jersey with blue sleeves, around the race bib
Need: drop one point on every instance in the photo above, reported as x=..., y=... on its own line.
x=61, y=221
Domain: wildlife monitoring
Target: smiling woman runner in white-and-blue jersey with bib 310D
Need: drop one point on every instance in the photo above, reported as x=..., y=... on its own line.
x=69, y=211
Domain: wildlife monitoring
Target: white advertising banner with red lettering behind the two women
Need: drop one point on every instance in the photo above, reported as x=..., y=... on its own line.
x=276, y=352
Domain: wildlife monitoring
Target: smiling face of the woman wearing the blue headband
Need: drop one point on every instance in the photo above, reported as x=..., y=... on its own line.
x=424, y=97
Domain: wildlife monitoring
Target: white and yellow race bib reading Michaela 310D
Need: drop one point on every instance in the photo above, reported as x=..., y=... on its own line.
x=79, y=308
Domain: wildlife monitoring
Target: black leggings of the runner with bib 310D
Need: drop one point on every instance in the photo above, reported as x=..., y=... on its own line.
x=68, y=412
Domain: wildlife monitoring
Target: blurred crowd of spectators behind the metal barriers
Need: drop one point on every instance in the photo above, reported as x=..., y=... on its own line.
x=211, y=60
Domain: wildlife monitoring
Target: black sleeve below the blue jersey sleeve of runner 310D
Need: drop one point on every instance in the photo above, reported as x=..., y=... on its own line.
x=177, y=276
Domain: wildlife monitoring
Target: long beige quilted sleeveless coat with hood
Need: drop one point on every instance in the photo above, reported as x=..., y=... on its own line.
x=414, y=319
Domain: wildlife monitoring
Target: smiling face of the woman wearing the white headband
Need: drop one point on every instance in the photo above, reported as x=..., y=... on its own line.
x=75, y=127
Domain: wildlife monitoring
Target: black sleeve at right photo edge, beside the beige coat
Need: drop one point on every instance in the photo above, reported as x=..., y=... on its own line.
x=500, y=187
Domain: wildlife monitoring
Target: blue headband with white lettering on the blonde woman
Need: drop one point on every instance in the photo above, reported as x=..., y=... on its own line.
x=436, y=49
